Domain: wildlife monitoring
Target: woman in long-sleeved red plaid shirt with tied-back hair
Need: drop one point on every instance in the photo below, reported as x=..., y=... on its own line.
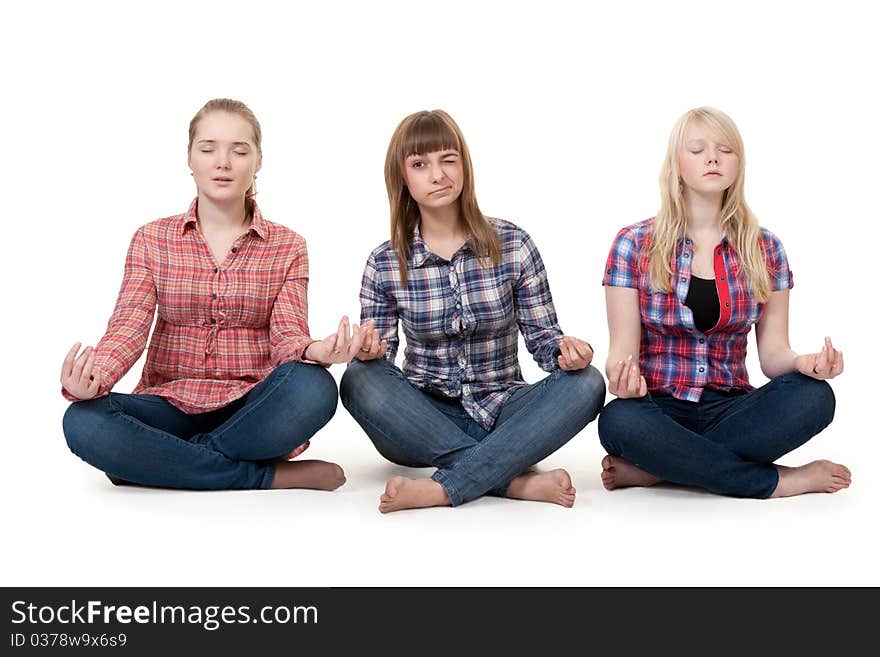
x=233, y=386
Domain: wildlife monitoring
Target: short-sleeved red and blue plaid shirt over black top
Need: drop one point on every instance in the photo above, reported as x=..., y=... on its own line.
x=675, y=358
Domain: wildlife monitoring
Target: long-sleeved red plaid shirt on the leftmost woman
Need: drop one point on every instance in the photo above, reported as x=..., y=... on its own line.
x=221, y=329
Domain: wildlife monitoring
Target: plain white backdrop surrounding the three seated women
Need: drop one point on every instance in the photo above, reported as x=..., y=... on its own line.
x=566, y=109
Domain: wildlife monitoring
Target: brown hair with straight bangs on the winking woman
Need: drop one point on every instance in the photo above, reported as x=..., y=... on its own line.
x=421, y=133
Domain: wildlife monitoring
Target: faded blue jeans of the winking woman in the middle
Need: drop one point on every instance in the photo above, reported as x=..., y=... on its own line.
x=417, y=429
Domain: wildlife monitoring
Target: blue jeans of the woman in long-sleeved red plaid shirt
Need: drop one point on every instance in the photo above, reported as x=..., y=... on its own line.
x=144, y=439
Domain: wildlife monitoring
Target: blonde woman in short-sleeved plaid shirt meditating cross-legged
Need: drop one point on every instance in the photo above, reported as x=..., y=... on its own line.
x=683, y=289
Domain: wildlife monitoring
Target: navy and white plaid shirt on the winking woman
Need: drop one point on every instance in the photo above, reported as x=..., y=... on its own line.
x=461, y=317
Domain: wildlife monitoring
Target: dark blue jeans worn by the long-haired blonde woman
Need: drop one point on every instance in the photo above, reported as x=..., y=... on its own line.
x=727, y=441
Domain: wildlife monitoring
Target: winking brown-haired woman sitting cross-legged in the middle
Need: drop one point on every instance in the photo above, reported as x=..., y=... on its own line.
x=463, y=286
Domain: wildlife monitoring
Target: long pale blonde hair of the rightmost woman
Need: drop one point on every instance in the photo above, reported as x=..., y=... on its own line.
x=737, y=221
